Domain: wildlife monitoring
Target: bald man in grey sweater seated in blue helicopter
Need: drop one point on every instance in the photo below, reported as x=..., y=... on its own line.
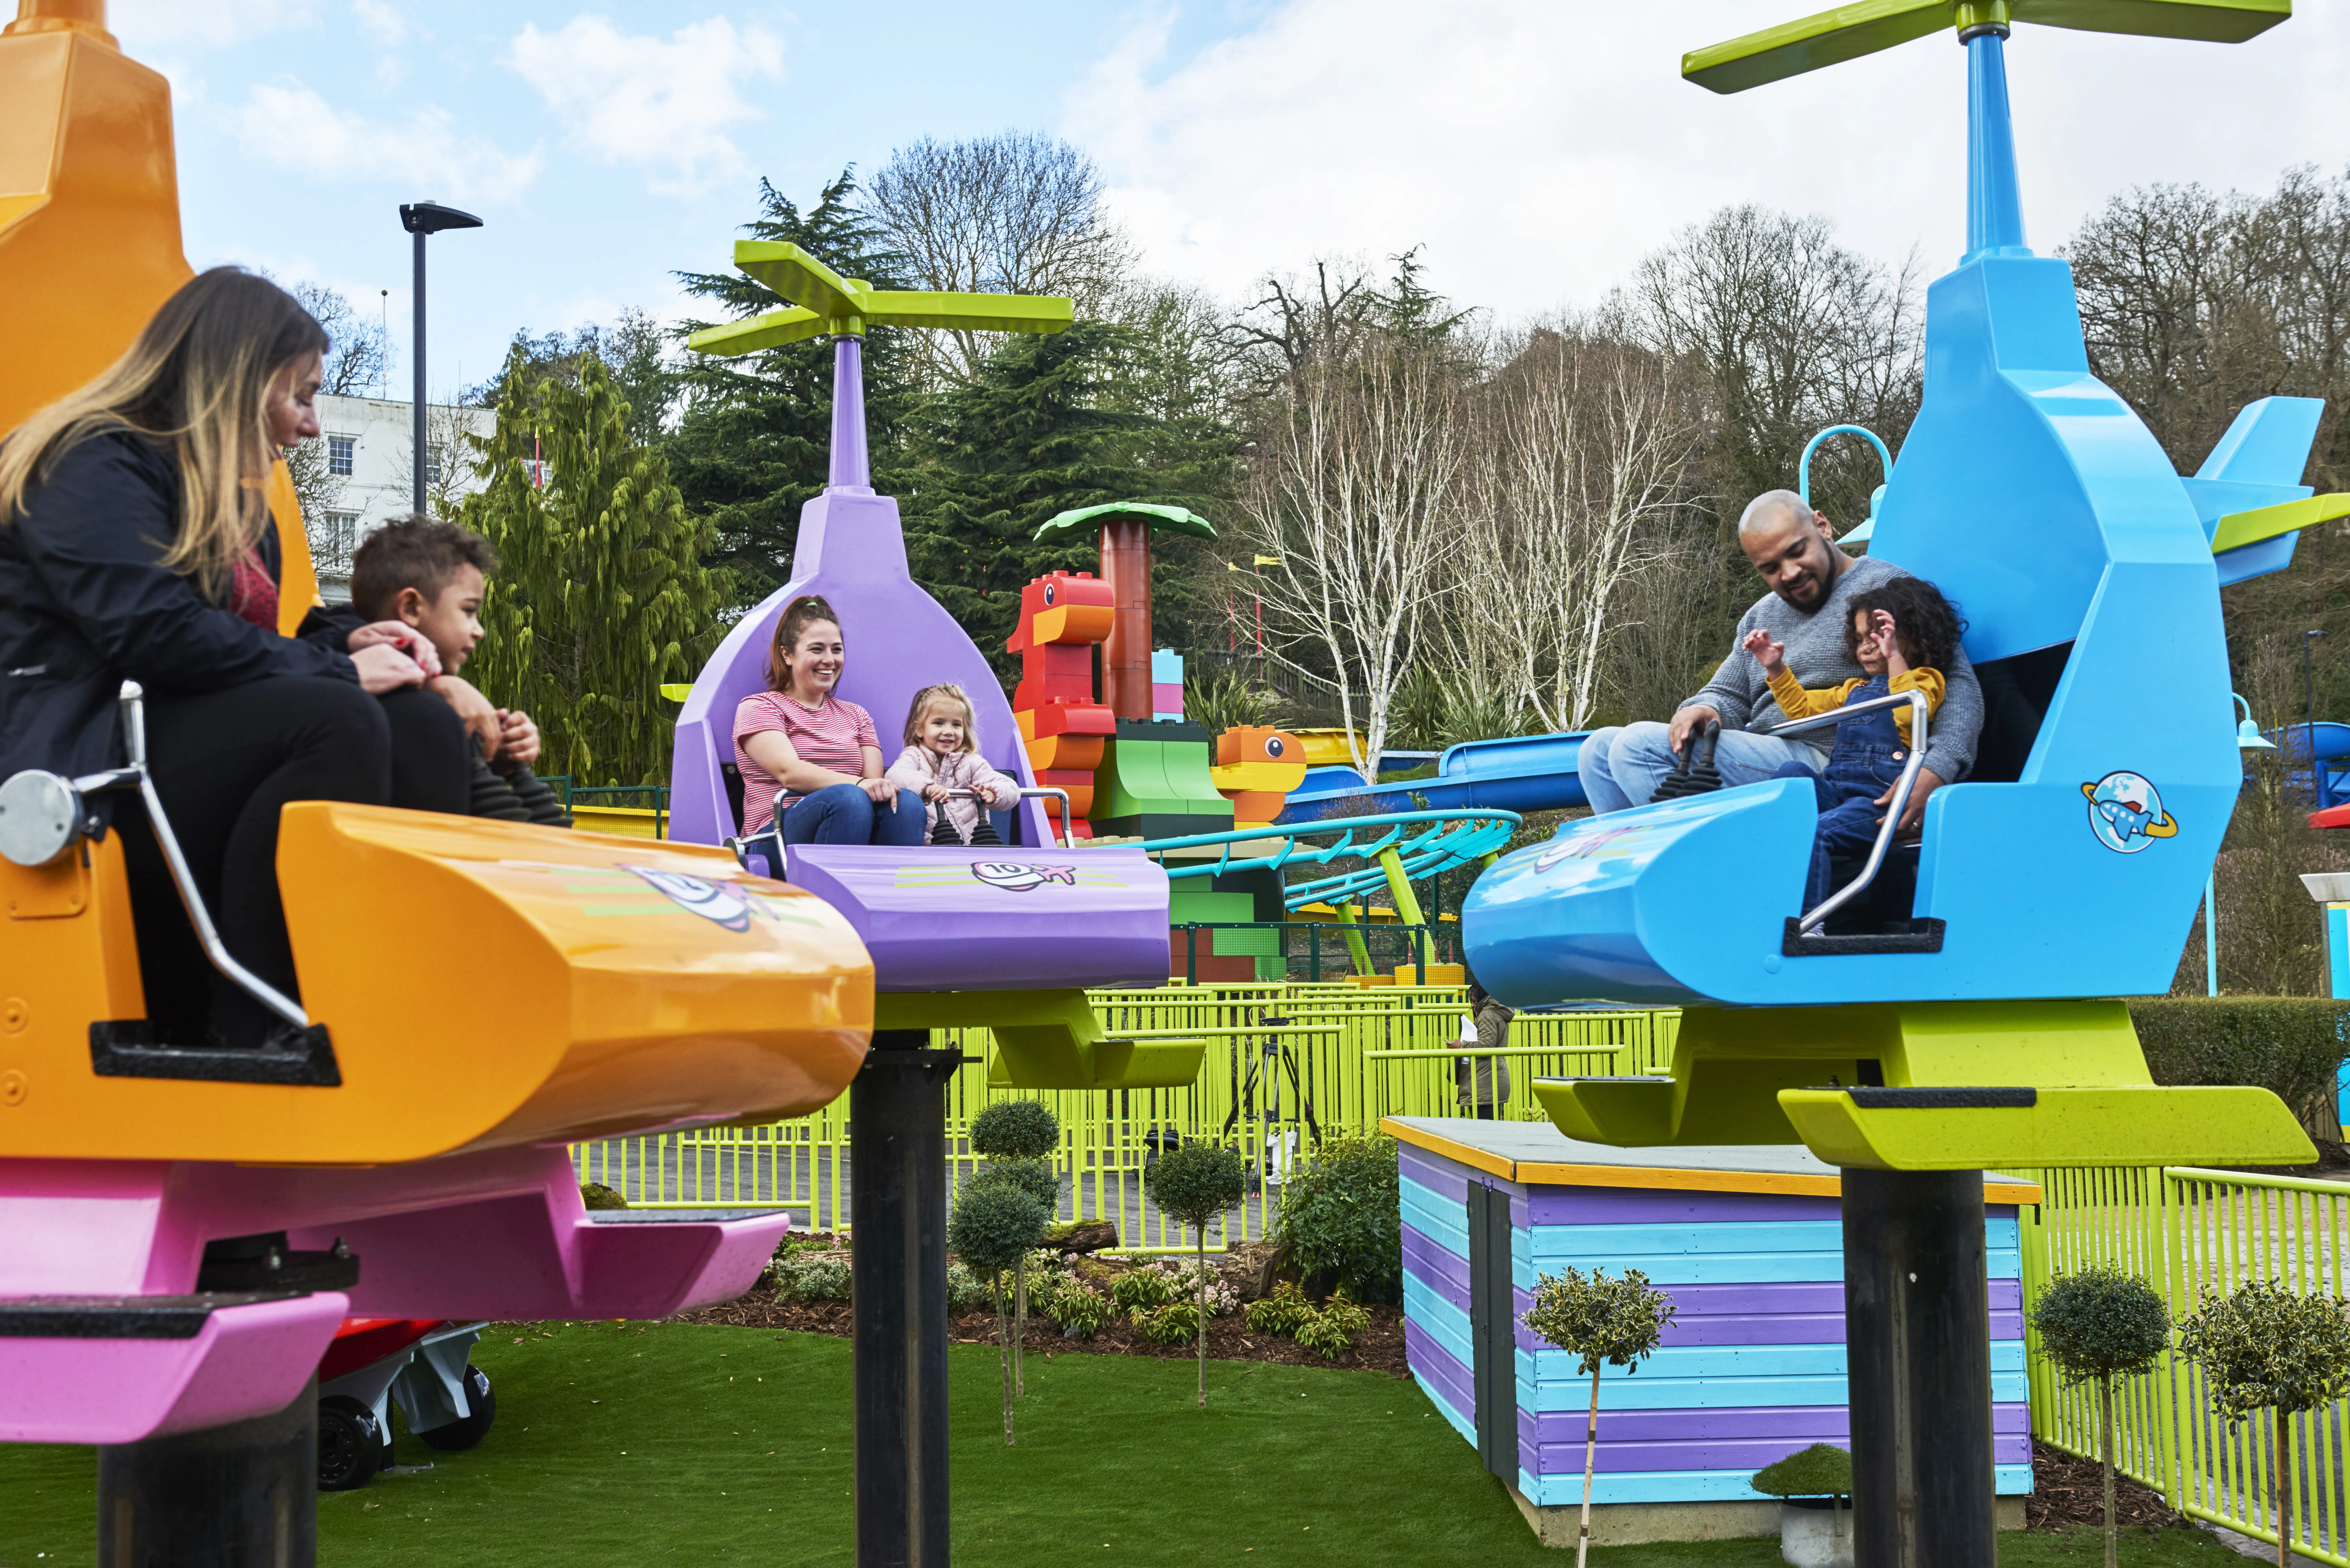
x=1811, y=584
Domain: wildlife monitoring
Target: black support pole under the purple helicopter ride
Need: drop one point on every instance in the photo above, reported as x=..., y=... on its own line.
x=899, y=1292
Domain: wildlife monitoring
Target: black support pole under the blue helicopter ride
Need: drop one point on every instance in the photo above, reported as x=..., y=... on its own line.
x=1919, y=1353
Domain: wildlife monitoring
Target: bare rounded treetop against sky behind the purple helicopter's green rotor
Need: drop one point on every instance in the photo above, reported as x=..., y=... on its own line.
x=998, y=215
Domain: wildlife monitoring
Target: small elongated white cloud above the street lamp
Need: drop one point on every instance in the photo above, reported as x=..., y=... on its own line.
x=290, y=128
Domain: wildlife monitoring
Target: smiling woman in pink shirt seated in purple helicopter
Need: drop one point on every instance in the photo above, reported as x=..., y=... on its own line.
x=812, y=758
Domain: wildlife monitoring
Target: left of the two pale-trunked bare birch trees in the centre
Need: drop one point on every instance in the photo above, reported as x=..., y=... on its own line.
x=1352, y=495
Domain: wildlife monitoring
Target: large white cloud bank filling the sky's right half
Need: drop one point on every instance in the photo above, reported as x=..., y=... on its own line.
x=1540, y=149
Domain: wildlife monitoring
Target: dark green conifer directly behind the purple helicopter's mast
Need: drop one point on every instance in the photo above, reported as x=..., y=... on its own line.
x=756, y=434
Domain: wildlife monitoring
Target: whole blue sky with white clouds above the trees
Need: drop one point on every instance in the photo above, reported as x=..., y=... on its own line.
x=1536, y=149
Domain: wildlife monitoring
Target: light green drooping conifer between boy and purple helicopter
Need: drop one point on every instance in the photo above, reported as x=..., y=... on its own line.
x=603, y=594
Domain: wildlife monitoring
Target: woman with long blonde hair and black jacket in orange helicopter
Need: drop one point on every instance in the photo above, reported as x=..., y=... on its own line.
x=135, y=544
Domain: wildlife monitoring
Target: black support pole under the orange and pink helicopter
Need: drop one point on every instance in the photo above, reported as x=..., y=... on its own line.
x=241, y=1496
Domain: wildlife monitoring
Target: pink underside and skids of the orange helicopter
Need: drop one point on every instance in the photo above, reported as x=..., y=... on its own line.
x=497, y=1235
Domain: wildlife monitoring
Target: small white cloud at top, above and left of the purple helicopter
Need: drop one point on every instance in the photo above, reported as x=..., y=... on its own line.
x=659, y=105
